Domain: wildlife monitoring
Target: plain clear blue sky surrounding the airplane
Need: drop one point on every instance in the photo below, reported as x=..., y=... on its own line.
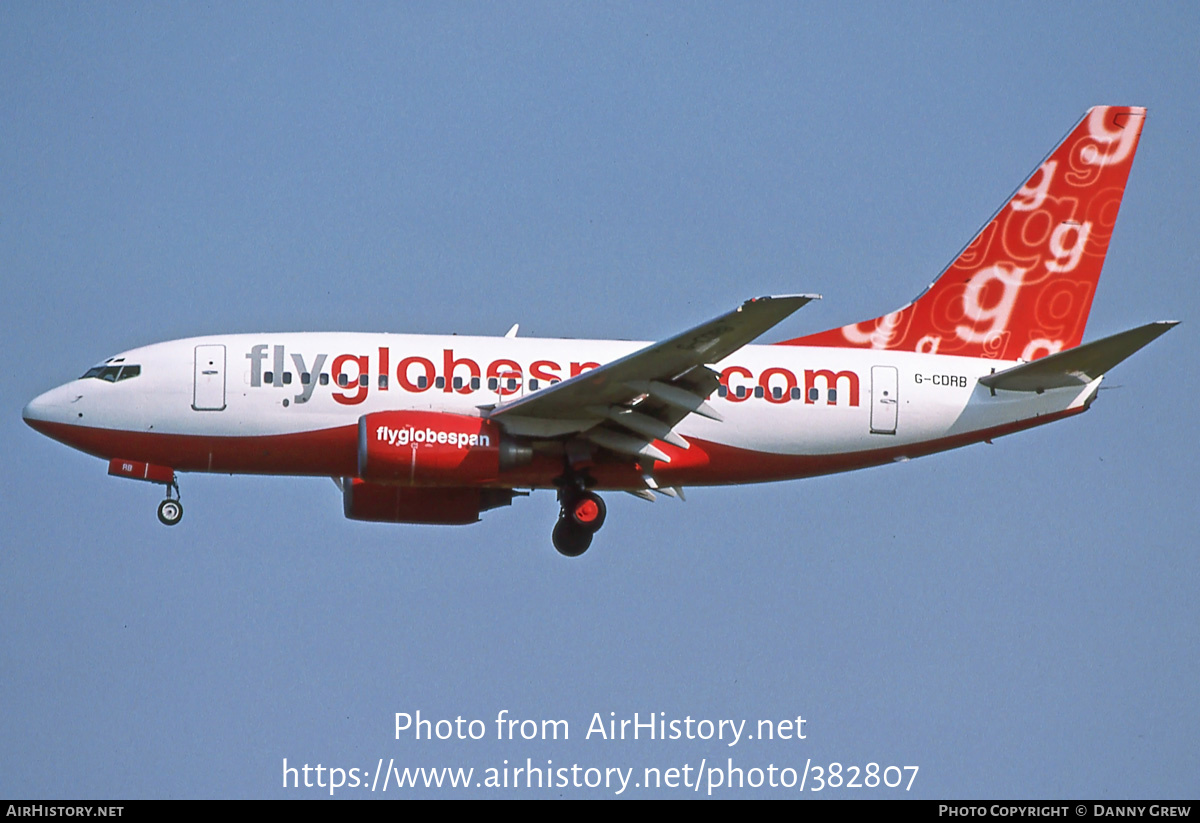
x=1017, y=620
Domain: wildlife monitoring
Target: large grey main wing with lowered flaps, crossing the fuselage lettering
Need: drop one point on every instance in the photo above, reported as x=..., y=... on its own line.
x=627, y=405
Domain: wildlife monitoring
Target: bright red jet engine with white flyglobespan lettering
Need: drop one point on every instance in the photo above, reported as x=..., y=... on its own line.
x=435, y=449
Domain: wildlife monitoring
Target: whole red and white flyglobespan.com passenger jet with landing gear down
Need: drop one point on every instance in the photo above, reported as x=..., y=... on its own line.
x=442, y=429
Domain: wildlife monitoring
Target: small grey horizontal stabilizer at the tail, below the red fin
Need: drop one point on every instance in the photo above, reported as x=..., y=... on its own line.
x=1078, y=367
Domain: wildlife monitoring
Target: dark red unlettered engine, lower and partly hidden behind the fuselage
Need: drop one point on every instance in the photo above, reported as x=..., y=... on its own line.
x=398, y=504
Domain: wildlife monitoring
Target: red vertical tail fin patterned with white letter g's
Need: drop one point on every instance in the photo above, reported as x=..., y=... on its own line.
x=1023, y=289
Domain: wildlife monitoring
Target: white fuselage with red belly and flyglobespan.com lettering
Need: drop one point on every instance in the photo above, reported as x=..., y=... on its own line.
x=289, y=404
